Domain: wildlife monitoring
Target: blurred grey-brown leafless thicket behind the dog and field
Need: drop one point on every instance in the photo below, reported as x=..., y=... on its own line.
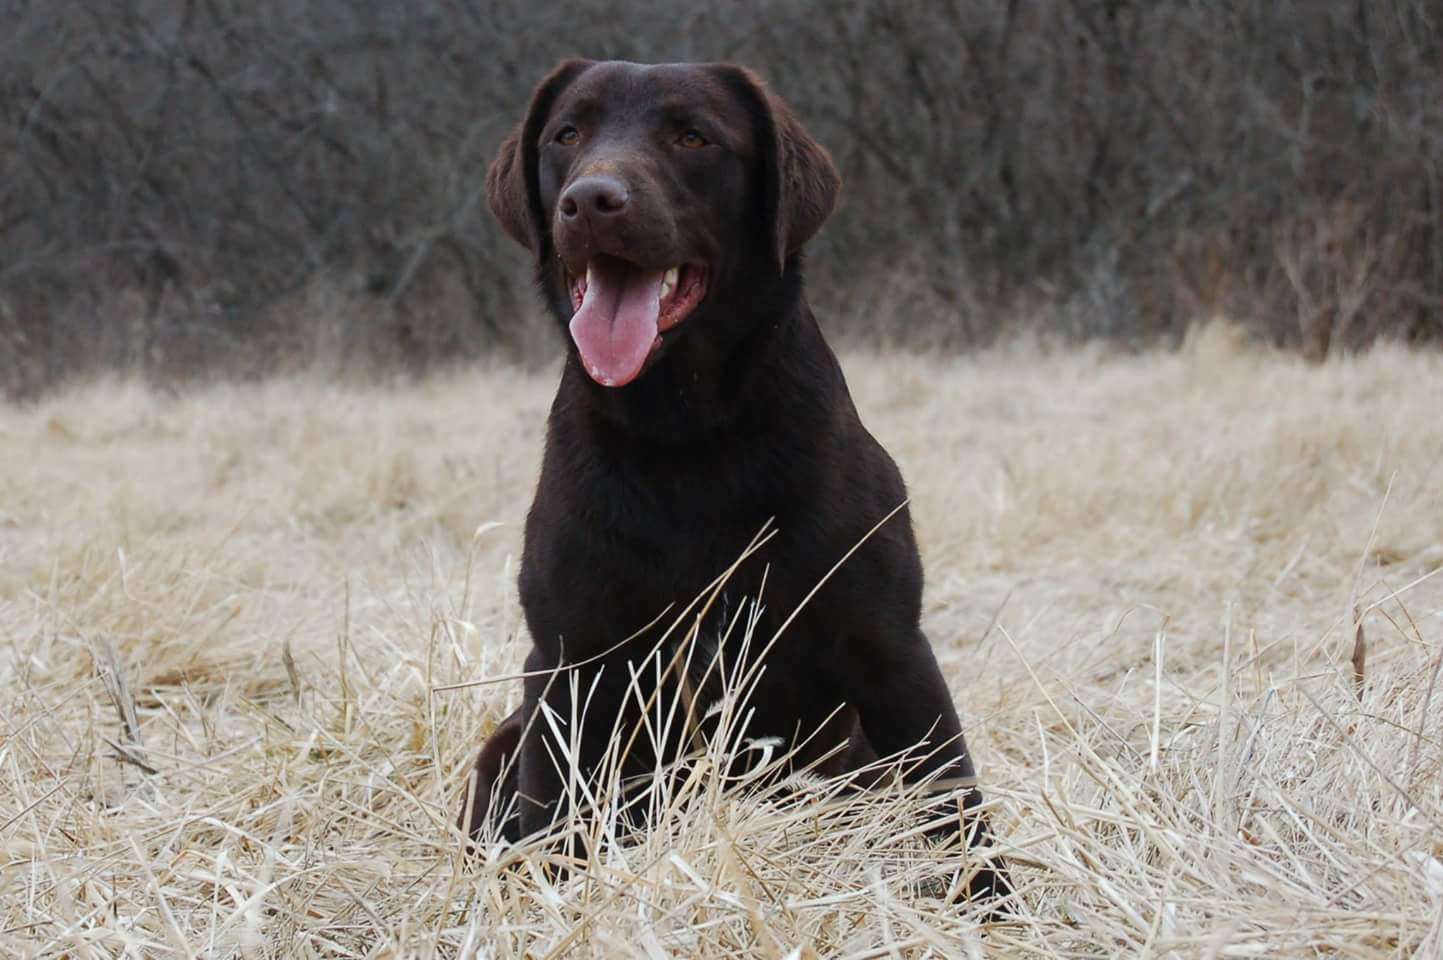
x=234, y=188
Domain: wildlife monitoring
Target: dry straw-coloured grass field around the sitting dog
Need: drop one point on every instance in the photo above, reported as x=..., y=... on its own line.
x=224, y=614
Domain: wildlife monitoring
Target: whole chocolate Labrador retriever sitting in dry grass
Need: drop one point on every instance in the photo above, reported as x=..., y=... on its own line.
x=667, y=209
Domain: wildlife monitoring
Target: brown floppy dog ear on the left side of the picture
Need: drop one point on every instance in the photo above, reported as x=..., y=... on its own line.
x=512, y=183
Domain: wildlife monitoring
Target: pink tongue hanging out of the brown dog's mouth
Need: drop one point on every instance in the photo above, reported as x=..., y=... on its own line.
x=617, y=323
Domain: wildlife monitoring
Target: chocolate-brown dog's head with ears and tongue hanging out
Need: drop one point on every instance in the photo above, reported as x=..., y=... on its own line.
x=659, y=201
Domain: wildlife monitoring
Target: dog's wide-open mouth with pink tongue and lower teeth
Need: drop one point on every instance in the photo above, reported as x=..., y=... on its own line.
x=623, y=310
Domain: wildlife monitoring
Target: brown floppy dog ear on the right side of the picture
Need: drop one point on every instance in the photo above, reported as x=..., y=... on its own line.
x=800, y=181
